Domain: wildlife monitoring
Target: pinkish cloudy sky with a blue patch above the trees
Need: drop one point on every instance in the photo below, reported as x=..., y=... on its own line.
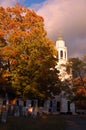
x=61, y=16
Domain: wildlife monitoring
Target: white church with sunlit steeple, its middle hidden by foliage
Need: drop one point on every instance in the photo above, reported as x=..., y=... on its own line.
x=61, y=104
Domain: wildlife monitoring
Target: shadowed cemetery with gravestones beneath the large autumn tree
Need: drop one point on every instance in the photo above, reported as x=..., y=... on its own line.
x=30, y=108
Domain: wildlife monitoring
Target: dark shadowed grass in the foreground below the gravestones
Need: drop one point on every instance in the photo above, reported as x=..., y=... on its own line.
x=46, y=122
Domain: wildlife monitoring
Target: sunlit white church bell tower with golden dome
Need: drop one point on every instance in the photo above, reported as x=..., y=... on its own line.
x=62, y=59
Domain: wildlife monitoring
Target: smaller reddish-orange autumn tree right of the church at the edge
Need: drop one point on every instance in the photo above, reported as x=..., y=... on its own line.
x=79, y=79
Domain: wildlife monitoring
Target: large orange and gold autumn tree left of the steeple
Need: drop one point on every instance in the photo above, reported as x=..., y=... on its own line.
x=28, y=55
